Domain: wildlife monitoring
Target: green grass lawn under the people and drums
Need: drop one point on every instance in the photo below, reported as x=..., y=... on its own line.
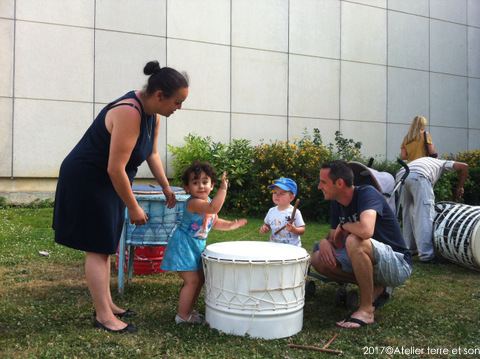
x=46, y=310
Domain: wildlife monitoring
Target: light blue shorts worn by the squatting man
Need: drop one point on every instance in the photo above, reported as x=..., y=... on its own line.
x=391, y=269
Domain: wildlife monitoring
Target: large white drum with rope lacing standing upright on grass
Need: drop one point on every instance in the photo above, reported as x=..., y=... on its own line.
x=255, y=288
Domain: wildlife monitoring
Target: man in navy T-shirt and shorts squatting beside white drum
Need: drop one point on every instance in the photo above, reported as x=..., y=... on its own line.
x=365, y=245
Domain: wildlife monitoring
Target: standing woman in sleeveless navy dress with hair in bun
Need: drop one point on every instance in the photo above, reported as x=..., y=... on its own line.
x=95, y=181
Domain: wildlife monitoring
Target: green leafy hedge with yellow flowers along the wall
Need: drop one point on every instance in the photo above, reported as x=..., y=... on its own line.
x=251, y=169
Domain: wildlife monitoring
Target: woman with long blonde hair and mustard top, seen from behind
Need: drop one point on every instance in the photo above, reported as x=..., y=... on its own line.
x=413, y=145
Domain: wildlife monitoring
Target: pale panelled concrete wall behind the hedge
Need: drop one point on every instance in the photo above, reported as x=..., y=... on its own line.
x=259, y=69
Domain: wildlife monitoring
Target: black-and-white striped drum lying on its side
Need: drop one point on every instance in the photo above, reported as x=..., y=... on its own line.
x=456, y=233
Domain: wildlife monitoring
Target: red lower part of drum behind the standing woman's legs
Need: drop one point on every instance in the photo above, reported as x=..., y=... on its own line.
x=146, y=260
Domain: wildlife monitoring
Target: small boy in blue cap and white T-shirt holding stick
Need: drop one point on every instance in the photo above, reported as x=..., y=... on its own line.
x=284, y=192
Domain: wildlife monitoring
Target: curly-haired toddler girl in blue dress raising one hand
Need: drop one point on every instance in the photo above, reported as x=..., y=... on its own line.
x=183, y=253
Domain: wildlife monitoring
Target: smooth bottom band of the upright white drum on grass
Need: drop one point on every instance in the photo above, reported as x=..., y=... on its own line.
x=273, y=325
